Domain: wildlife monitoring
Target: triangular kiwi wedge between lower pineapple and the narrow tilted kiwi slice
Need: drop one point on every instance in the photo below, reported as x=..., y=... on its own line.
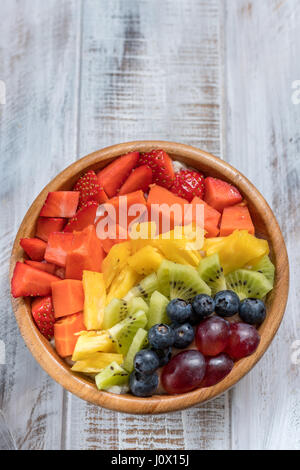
x=123, y=333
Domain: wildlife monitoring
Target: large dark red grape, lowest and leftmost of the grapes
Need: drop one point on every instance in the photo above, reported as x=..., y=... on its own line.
x=184, y=372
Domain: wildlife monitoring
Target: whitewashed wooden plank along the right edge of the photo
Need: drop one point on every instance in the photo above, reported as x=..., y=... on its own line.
x=262, y=46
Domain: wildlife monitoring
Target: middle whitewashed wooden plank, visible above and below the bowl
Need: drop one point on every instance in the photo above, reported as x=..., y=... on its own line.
x=150, y=70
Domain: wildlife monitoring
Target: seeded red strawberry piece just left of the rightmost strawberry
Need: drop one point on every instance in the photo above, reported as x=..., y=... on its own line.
x=188, y=184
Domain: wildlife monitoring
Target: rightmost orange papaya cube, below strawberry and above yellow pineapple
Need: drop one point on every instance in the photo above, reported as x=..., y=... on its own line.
x=236, y=218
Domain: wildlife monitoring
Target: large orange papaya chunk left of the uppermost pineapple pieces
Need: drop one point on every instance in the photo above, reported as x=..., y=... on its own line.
x=86, y=253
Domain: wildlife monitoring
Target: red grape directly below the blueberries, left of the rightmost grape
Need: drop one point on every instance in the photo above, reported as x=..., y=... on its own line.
x=212, y=336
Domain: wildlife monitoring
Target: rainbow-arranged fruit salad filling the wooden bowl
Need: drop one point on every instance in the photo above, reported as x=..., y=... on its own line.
x=147, y=276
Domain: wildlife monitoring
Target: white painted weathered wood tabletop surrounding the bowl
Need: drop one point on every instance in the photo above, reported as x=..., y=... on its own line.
x=84, y=74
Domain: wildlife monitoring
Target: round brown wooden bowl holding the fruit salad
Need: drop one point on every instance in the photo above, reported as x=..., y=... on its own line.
x=266, y=227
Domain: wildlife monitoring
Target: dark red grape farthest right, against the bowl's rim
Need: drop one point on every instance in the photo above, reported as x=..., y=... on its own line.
x=243, y=340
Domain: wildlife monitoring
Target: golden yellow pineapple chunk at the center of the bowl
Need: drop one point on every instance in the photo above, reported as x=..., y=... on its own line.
x=146, y=260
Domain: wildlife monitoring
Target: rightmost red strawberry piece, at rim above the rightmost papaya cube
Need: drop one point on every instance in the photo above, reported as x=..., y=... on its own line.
x=220, y=194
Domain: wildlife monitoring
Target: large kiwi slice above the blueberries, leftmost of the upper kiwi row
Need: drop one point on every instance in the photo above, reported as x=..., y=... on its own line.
x=180, y=281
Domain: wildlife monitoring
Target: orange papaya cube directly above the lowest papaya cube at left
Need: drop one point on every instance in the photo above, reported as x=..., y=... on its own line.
x=67, y=296
